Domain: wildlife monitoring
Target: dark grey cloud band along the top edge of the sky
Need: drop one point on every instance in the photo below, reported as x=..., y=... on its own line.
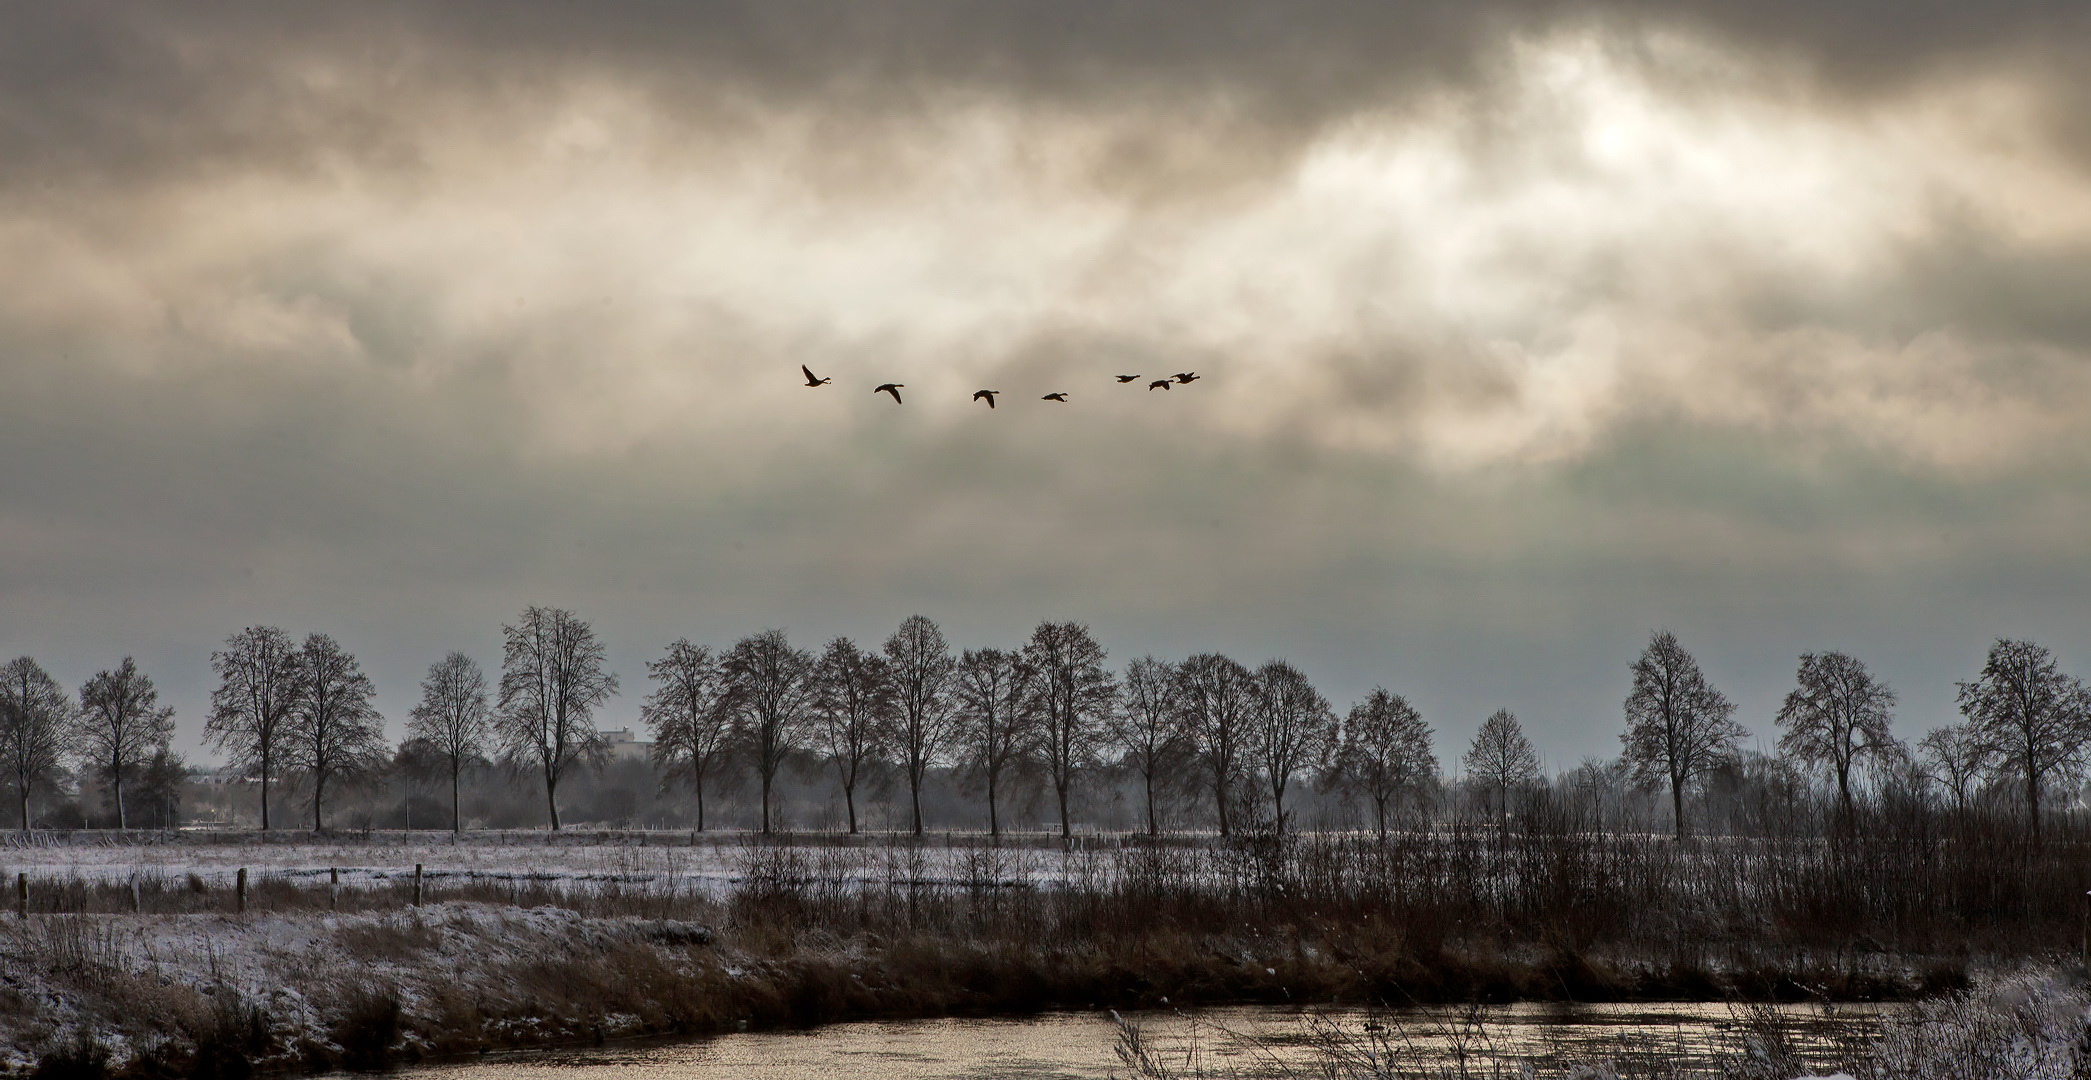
x=116, y=91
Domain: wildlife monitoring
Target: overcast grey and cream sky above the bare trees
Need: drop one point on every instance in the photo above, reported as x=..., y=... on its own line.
x=1523, y=330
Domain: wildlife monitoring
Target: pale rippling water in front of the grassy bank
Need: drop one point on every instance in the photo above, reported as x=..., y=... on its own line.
x=1082, y=1045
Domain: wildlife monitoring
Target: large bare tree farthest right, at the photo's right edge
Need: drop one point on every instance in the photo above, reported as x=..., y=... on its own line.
x=2031, y=719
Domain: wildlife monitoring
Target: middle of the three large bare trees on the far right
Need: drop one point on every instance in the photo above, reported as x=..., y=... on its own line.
x=1837, y=715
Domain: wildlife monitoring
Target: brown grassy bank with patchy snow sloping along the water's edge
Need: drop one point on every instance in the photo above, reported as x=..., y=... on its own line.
x=223, y=995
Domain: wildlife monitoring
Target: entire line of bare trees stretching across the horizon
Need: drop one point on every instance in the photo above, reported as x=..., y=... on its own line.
x=1203, y=740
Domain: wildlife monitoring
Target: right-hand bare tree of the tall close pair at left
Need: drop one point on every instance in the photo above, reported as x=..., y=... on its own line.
x=336, y=732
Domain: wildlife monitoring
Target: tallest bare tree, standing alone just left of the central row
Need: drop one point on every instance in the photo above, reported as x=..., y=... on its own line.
x=553, y=683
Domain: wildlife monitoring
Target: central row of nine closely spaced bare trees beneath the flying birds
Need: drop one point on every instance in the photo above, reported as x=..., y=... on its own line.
x=1049, y=702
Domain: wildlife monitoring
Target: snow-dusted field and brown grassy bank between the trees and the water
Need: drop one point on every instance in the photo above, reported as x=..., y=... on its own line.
x=154, y=962
